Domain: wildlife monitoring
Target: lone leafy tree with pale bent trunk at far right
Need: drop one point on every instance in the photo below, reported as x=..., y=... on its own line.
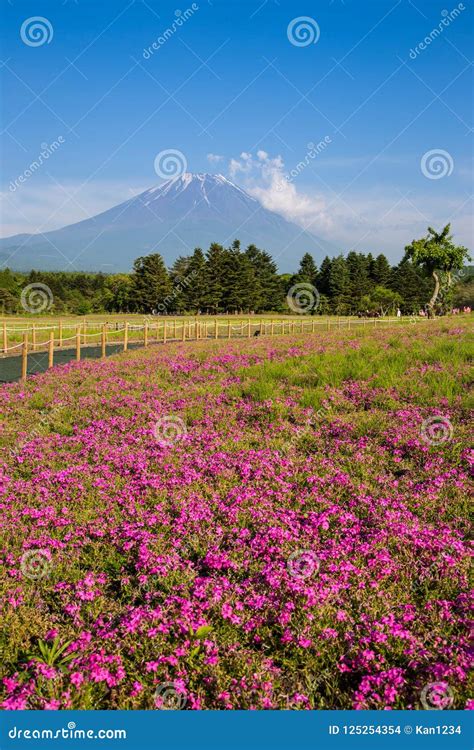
x=437, y=254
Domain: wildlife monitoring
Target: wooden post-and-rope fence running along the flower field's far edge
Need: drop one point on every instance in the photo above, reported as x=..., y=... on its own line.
x=169, y=331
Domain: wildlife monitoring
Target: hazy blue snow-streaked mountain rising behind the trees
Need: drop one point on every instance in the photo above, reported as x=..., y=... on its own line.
x=190, y=211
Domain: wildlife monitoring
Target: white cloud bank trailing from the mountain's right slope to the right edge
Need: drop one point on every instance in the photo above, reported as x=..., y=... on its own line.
x=377, y=220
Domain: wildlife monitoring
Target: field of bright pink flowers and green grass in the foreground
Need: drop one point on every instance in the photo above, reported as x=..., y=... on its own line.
x=279, y=523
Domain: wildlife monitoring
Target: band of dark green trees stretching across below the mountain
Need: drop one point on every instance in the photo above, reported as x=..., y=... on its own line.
x=236, y=280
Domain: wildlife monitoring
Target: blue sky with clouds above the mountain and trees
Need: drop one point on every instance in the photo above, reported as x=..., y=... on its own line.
x=229, y=80
